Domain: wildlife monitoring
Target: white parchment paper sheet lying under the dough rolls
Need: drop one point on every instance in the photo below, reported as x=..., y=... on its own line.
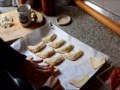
x=69, y=69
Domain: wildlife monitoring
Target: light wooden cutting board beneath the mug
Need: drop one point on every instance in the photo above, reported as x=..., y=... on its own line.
x=17, y=30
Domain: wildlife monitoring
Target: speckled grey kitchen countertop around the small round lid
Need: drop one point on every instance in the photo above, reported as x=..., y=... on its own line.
x=91, y=32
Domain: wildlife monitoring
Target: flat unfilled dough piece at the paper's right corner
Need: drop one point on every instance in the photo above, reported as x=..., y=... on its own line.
x=96, y=62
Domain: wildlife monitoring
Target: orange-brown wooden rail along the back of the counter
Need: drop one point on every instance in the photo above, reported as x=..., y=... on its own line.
x=98, y=16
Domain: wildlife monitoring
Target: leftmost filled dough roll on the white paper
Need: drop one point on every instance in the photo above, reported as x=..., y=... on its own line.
x=40, y=46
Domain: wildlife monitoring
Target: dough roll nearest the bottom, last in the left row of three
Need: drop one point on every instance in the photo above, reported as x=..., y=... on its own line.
x=54, y=60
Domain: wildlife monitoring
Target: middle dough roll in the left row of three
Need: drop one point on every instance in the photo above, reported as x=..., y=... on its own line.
x=46, y=53
